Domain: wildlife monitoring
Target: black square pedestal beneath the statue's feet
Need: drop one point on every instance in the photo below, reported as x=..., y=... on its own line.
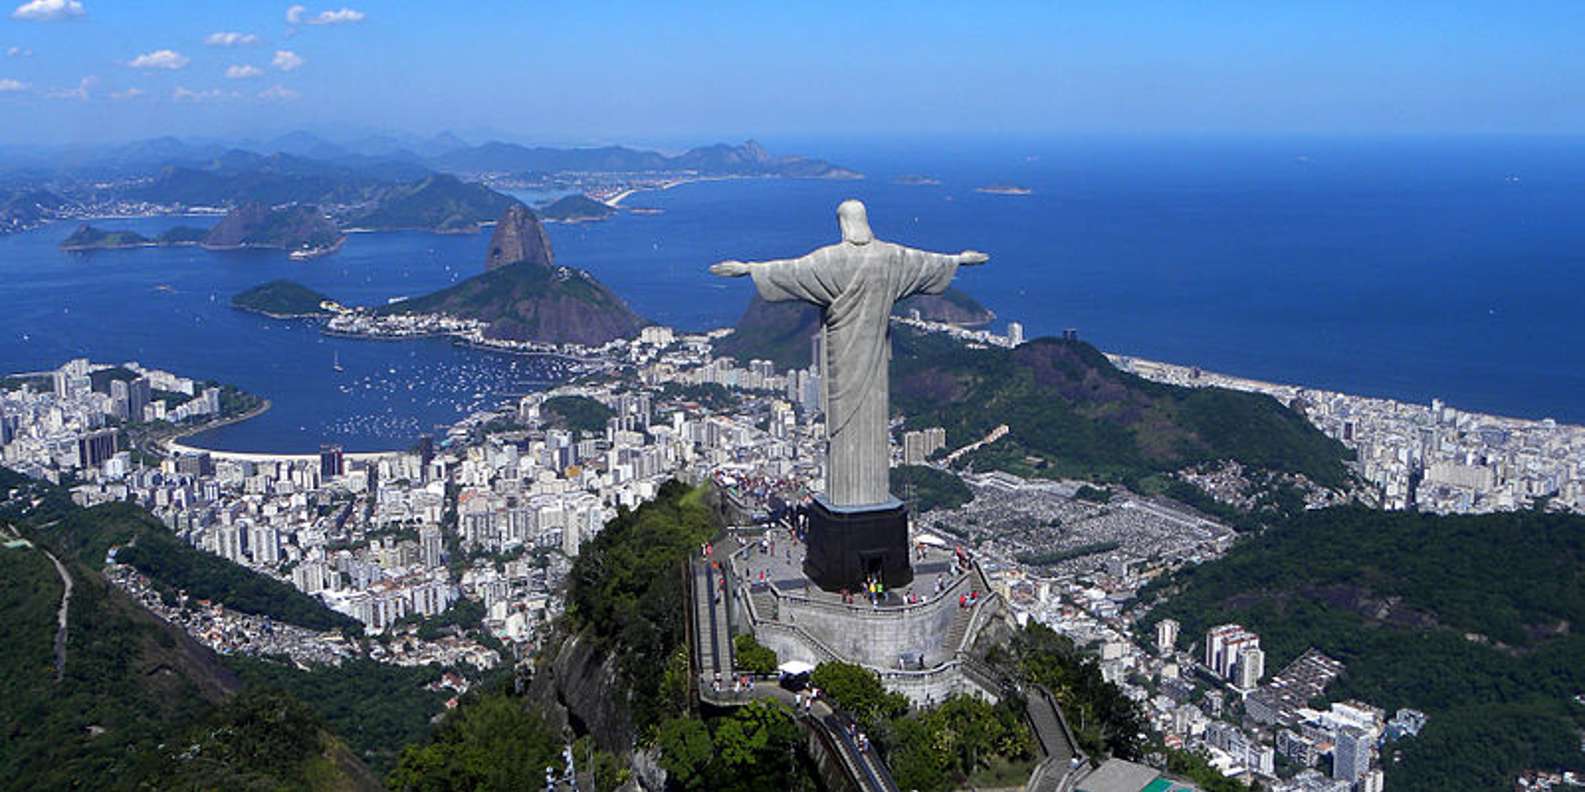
x=850, y=544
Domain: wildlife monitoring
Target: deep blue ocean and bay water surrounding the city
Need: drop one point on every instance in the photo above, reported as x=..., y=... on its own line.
x=1402, y=268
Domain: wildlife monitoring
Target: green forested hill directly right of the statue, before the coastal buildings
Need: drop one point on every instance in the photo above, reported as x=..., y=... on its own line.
x=1072, y=414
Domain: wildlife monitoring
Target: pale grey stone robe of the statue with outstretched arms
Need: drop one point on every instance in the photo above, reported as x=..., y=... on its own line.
x=857, y=286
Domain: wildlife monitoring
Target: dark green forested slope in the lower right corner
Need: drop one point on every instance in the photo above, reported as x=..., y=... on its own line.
x=1469, y=619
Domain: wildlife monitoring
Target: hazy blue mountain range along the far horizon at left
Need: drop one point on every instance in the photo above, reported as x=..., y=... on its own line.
x=373, y=183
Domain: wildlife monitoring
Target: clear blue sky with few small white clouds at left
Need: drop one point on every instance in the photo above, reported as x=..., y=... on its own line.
x=670, y=74
